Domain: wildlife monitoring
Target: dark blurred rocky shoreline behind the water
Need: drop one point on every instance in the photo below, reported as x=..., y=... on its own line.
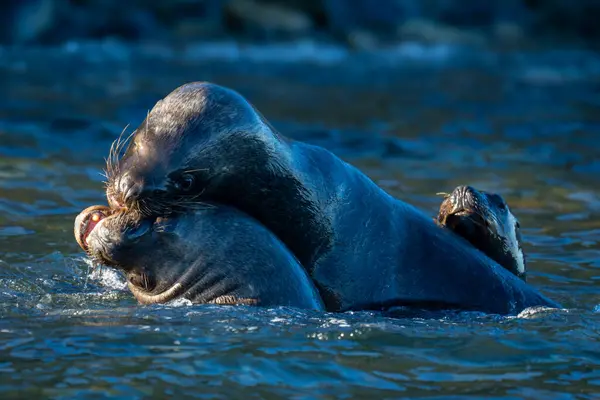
x=358, y=23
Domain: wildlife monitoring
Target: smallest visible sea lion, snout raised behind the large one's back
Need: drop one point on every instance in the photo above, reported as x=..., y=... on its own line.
x=487, y=222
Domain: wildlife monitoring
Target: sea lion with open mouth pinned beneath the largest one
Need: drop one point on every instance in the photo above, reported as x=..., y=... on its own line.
x=214, y=255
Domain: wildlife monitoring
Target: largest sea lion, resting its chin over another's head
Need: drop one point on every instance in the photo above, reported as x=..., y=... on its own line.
x=363, y=248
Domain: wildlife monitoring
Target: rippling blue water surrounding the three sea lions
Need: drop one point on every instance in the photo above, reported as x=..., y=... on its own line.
x=417, y=120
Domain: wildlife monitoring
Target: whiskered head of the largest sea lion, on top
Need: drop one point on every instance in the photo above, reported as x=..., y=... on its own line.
x=198, y=136
